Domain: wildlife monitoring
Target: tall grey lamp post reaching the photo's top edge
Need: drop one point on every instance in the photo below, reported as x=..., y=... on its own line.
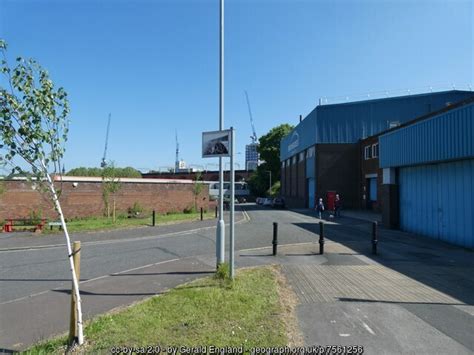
x=220, y=233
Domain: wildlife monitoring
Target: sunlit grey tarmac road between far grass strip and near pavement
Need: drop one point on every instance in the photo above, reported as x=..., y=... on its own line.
x=27, y=272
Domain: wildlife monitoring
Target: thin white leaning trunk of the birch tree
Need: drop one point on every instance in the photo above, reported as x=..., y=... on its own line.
x=80, y=335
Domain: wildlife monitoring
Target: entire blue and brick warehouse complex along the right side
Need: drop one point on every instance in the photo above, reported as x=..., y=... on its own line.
x=409, y=157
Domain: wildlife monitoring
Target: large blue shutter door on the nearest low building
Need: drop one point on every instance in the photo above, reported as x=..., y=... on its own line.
x=437, y=201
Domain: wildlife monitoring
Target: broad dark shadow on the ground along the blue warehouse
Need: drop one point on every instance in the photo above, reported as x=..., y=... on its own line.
x=441, y=266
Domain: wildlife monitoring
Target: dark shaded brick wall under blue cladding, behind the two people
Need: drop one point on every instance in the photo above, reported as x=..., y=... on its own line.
x=337, y=169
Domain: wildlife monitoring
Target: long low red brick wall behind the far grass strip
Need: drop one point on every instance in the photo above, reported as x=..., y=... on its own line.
x=85, y=200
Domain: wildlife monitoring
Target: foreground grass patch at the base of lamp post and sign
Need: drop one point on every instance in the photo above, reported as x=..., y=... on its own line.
x=200, y=313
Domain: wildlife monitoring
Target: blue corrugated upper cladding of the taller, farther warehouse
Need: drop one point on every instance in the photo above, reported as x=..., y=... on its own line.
x=349, y=122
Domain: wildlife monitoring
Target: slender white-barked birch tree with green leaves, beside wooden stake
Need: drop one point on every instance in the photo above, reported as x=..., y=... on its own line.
x=33, y=129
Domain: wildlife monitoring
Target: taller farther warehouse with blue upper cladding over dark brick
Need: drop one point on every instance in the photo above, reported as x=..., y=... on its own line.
x=310, y=166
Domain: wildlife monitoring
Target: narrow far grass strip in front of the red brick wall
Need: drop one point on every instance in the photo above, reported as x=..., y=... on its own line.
x=104, y=223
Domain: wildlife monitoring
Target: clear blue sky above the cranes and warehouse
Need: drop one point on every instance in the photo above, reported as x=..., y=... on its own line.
x=154, y=64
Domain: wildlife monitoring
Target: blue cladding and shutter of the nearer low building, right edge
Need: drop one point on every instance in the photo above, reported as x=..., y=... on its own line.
x=432, y=164
